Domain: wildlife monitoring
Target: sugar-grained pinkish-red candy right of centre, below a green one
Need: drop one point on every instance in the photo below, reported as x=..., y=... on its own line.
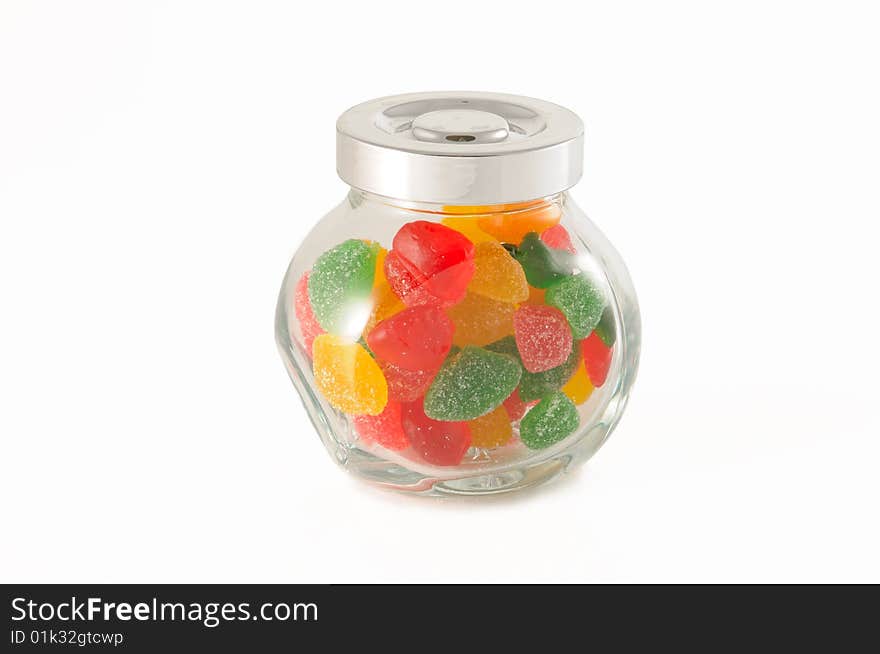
x=543, y=337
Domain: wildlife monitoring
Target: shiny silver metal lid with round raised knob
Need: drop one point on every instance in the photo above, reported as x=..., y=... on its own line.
x=465, y=148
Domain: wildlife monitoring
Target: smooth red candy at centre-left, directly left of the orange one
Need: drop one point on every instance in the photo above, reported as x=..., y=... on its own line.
x=417, y=338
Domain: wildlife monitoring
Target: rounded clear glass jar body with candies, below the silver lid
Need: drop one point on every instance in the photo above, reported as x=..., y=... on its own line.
x=401, y=347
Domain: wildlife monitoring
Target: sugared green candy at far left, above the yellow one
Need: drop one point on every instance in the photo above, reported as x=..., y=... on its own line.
x=340, y=286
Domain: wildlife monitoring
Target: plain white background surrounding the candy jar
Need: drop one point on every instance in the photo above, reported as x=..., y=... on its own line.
x=161, y=161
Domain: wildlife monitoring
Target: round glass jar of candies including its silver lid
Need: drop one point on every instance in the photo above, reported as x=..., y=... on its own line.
x=457, y=325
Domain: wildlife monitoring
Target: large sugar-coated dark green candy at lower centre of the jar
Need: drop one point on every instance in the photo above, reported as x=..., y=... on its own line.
x=471, y=384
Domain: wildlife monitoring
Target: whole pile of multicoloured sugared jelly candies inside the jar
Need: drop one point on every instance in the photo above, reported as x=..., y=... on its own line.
x=478, y=328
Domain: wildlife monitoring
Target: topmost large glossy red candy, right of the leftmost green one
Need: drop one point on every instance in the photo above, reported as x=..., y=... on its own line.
x=430, y=264
